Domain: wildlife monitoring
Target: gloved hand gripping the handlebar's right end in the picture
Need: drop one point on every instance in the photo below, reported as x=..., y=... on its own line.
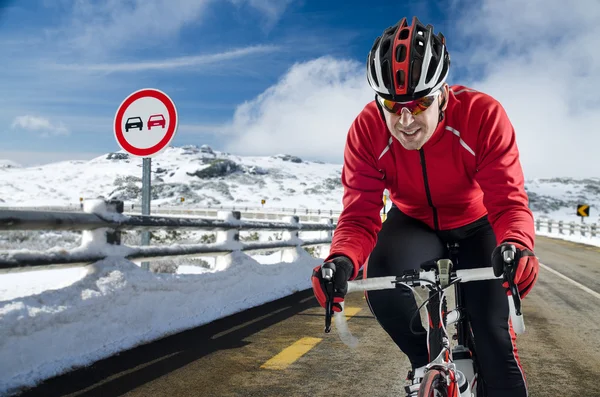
x=519, y=265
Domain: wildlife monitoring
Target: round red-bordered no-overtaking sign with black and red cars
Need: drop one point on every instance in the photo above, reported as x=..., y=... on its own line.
x=145, y=123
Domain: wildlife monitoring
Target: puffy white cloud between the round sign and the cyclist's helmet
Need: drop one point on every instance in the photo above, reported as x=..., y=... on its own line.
x=307, y=113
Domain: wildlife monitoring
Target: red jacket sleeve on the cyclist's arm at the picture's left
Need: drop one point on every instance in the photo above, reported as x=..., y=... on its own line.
x=360, y=221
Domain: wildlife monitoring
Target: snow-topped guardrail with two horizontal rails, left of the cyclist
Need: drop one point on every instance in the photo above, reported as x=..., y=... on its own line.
x=103, y=229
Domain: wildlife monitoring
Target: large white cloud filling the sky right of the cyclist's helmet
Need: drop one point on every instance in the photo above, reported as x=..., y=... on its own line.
x=541, y=62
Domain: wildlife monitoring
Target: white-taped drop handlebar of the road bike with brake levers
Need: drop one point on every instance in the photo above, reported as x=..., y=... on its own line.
x=415, y=278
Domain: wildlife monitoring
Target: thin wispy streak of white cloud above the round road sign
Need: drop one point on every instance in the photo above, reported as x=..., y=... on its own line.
x=173, y=63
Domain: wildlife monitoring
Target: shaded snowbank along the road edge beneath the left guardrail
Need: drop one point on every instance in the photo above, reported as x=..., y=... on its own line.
x=116, y=305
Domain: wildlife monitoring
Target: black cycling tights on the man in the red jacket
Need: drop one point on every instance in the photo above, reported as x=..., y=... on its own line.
x=404, y=243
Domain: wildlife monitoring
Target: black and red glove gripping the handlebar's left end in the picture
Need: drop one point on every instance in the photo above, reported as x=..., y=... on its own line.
x=342, y=271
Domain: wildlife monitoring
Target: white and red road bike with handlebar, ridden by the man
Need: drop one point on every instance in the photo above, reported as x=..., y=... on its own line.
x=438, y=279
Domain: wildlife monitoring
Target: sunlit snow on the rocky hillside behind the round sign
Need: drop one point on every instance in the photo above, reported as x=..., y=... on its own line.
x=285, y=184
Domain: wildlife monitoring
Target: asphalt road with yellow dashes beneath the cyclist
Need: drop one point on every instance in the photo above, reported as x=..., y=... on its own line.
x=245, y=354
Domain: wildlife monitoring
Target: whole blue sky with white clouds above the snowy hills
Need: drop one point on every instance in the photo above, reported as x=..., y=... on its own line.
x=260, y=77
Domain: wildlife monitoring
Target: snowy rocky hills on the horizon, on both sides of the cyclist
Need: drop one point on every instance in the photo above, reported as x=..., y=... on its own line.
x=205, y=177
